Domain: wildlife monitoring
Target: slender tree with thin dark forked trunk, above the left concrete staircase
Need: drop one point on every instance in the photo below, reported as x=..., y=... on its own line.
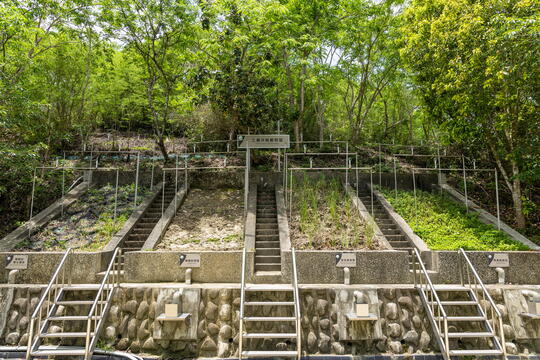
x=162, y=33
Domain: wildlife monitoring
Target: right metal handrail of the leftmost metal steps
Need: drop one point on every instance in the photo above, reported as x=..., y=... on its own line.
x=106, y=285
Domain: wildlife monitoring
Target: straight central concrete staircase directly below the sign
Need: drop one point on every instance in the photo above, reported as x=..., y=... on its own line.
x=267, y=245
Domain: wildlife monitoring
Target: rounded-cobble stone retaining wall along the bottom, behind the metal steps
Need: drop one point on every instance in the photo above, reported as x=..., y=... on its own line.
x=402, y=328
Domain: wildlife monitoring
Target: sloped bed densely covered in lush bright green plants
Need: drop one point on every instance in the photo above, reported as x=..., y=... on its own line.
x=446, y=225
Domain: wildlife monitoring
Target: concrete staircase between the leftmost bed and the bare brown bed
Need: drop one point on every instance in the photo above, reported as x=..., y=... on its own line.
x=148, y=221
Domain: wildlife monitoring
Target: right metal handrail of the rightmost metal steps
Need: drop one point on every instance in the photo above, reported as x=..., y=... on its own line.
x=479, y=285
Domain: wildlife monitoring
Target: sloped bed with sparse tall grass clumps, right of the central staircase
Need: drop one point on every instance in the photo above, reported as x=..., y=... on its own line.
x=324, y=218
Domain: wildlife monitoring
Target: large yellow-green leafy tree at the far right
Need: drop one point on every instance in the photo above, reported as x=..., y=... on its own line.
x=476, y=65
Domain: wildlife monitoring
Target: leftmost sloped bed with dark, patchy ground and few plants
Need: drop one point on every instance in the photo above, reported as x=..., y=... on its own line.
x=89, y=223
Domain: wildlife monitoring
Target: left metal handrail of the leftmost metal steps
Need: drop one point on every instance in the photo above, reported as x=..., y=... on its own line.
x=38, y=312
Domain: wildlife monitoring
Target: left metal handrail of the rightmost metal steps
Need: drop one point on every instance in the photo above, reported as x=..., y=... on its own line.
x=434, y=300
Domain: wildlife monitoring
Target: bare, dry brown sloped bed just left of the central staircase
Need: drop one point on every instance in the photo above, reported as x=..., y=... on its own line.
x=209, y=219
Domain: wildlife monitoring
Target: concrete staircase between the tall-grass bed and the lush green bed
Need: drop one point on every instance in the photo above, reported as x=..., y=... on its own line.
x=389, y=228
